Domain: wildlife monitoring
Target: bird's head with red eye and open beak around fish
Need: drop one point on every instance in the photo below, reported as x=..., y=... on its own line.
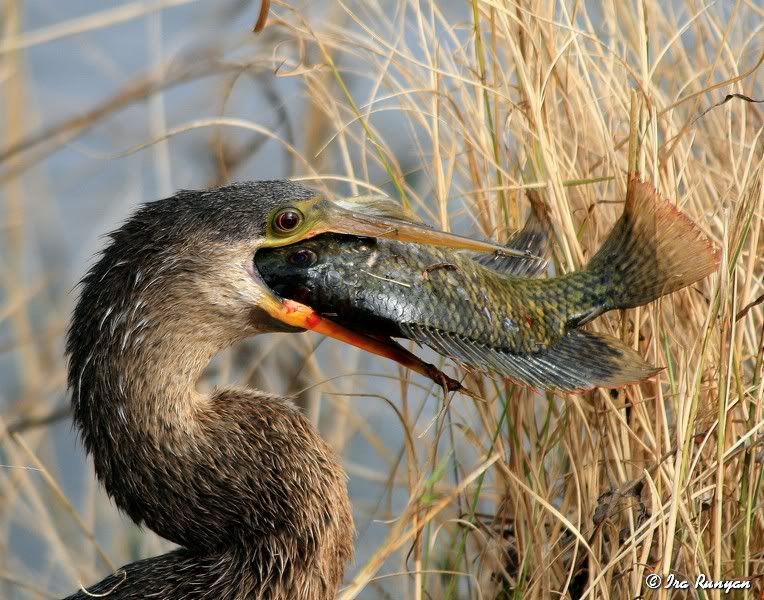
x=194, y=253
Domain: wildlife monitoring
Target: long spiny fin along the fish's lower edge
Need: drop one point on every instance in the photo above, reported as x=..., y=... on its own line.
x=579, y=361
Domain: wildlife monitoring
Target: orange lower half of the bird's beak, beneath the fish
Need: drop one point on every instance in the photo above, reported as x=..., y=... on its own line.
x=303, y=317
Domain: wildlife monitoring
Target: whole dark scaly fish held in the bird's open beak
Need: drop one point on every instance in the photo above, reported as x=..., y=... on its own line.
x=494, y=313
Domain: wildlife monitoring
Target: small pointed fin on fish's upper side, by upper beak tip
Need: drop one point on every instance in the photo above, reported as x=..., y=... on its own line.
x=533, y=239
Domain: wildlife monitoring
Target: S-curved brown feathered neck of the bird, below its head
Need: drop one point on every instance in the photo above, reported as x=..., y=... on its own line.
x=235, y=469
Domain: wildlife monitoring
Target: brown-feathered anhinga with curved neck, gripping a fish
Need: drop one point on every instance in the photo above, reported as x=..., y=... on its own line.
x=239, y=479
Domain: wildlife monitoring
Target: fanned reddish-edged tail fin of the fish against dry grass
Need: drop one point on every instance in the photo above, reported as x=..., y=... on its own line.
x=653, y=249
